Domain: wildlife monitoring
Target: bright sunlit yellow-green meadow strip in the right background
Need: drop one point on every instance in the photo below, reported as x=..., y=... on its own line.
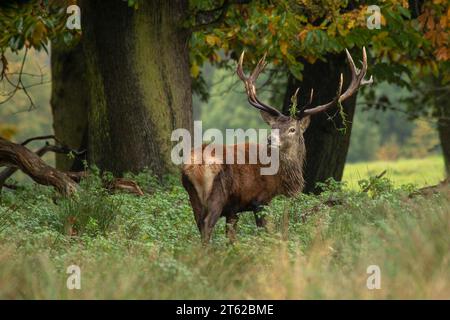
x=420, y=172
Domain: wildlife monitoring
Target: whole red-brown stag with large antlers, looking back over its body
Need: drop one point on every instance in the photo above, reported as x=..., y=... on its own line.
x=217, y=189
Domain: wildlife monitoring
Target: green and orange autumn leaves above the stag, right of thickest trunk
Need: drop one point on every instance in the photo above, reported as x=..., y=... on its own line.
x=406, y=41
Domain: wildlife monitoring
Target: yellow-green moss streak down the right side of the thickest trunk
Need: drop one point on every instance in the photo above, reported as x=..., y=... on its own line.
x=155, y=61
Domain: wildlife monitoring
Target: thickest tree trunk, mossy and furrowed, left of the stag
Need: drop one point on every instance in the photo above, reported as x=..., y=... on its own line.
x=138, y=76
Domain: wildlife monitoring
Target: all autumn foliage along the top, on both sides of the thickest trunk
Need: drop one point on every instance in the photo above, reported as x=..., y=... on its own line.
x=409, y=40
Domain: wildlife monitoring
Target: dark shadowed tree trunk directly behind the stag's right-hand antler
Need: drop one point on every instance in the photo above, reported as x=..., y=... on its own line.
x=326, y=146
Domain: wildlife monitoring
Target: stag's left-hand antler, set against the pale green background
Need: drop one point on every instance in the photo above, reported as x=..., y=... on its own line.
x=250, y=85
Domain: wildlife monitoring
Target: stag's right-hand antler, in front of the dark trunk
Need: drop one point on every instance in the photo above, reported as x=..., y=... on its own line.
x=357, y=81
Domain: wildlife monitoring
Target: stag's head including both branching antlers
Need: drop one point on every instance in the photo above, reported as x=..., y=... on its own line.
x=291, y=128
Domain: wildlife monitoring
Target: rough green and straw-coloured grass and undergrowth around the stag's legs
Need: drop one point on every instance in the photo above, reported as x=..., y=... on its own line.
x=148, y=247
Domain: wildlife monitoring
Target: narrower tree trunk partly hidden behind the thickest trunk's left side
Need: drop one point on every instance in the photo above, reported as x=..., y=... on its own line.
x=69, y=102
